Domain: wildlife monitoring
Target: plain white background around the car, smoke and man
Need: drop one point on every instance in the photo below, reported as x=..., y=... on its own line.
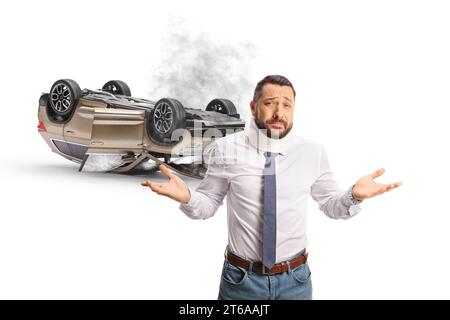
x=372, y=79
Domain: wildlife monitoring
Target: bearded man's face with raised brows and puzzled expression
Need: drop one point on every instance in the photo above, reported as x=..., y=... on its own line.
x=274, y=110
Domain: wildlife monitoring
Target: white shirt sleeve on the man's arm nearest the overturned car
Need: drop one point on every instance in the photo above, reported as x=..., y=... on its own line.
x=209, y=195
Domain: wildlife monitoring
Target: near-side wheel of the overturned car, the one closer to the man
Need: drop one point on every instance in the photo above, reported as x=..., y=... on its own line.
x=166, y=116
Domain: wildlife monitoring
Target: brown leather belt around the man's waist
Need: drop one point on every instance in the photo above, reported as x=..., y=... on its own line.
x=259, y=268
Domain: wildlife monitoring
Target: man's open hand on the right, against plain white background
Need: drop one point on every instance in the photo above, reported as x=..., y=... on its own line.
x=366, y=187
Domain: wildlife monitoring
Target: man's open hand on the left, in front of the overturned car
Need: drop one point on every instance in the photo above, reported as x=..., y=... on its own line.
x=175, y=188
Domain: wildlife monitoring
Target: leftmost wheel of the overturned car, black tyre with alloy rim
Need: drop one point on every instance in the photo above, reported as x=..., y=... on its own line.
x=64, y=96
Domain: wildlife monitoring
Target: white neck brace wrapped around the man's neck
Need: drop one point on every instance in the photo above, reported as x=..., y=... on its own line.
x=262, y=142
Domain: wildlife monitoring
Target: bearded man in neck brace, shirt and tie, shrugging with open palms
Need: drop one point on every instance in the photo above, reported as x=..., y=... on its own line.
x=267, y=174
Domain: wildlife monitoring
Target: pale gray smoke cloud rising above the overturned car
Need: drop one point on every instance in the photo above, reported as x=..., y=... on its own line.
x=195, y=68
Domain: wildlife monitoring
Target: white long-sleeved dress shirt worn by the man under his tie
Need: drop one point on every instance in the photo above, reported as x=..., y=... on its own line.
x=235, y=170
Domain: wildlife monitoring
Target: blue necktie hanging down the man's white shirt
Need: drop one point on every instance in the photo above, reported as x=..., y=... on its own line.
x=270, y=211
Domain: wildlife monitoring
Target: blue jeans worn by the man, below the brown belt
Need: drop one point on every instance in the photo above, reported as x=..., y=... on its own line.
x=240, y=284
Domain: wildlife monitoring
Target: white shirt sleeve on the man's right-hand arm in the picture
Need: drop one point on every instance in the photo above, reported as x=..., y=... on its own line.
x=332, y=200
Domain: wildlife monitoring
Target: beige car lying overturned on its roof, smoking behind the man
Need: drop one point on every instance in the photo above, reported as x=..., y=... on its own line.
x=81, y=125
